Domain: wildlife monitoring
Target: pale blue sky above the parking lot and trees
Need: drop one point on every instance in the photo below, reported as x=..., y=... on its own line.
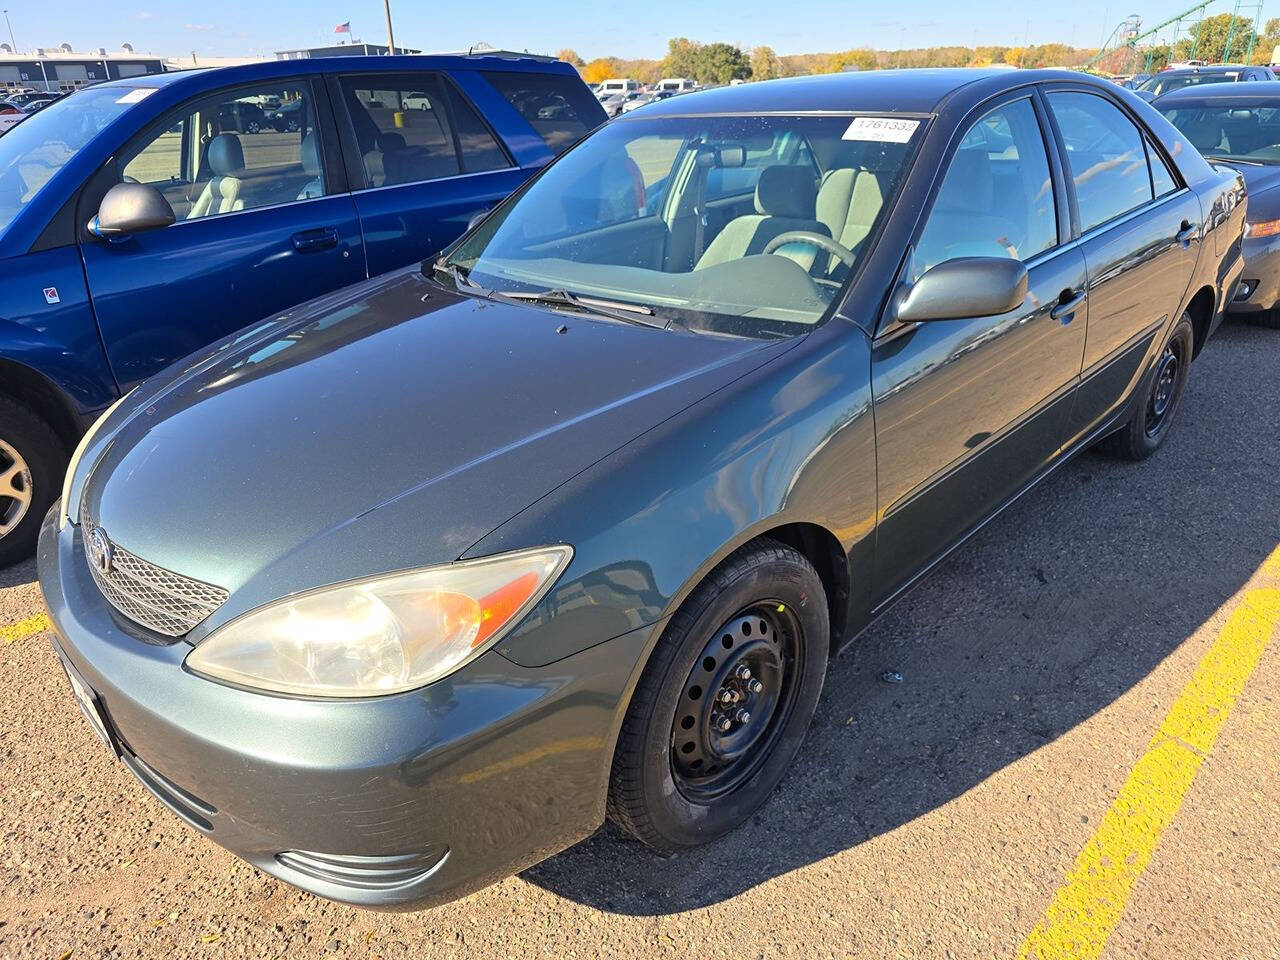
x=642, y=29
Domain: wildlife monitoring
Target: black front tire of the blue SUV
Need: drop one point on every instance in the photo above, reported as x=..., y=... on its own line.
x=45, y=459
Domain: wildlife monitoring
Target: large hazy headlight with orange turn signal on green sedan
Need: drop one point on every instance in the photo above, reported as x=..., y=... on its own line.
x=383, y=636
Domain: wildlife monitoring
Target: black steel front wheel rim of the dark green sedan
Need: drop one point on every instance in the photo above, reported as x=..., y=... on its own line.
x=737, y=701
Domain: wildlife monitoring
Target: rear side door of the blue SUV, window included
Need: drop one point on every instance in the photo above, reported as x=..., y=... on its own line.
x=423, y=163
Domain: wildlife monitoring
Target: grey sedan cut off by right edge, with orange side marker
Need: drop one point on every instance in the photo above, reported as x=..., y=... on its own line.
x=1241, y=127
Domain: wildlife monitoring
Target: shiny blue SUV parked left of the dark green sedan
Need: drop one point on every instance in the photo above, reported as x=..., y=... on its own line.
x=144, y=218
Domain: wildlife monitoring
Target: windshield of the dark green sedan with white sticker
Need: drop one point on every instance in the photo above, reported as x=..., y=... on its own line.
x=744, y=226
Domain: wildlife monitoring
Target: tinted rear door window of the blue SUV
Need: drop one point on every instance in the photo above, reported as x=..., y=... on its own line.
x=417, y=127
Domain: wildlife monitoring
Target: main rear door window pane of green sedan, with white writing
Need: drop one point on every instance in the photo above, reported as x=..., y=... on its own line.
x=1107, y=157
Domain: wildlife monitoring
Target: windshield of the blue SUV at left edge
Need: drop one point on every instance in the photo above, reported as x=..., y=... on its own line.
x=43, y=144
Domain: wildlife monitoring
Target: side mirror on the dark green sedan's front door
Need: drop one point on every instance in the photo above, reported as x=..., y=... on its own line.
x=962, y=289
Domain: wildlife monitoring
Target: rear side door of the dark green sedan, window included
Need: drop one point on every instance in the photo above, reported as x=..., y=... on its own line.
x=1141, y=232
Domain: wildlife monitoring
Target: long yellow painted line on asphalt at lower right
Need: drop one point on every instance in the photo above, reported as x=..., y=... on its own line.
x=1091, y=902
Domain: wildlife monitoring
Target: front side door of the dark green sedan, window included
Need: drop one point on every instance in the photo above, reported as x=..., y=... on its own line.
x=968, y=412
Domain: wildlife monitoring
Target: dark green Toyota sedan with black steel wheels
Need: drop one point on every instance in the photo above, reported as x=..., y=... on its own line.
x=403, y=592
